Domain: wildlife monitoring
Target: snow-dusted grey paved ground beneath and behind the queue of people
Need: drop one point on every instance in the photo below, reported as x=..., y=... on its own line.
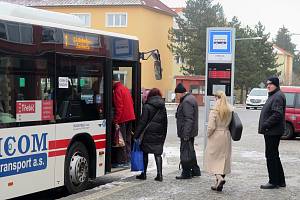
x=248, y=171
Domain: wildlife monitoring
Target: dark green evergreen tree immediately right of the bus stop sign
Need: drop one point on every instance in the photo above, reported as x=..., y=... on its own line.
x=254, y=59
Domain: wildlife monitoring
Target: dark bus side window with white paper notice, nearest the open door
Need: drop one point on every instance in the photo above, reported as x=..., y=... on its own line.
x=84, y=91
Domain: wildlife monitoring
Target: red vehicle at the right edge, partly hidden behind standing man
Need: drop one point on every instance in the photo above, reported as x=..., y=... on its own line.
x=292, y=112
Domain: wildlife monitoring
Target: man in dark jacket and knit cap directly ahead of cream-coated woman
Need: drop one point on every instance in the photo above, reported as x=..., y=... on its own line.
x=187, y=129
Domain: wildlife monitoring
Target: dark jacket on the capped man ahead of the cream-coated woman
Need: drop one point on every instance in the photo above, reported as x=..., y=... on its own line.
x=187, y=117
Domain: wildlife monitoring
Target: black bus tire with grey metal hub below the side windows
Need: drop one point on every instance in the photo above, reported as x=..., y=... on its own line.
x=77, y=168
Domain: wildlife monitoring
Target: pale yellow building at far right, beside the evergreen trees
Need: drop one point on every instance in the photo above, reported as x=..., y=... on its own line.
x=285, y=62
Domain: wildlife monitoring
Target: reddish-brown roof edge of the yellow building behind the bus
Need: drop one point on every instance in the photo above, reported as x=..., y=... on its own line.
x=152, y=4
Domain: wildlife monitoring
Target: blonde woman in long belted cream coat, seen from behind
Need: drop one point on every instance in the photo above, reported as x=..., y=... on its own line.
x=218, y=150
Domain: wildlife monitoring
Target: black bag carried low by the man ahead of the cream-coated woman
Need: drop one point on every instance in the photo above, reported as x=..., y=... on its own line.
x=187, y=153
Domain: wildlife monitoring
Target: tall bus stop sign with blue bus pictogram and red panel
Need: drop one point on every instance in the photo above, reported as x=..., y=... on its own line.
x=220, y=47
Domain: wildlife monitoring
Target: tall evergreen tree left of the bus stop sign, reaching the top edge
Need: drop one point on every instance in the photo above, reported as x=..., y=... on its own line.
x=189, y=40
